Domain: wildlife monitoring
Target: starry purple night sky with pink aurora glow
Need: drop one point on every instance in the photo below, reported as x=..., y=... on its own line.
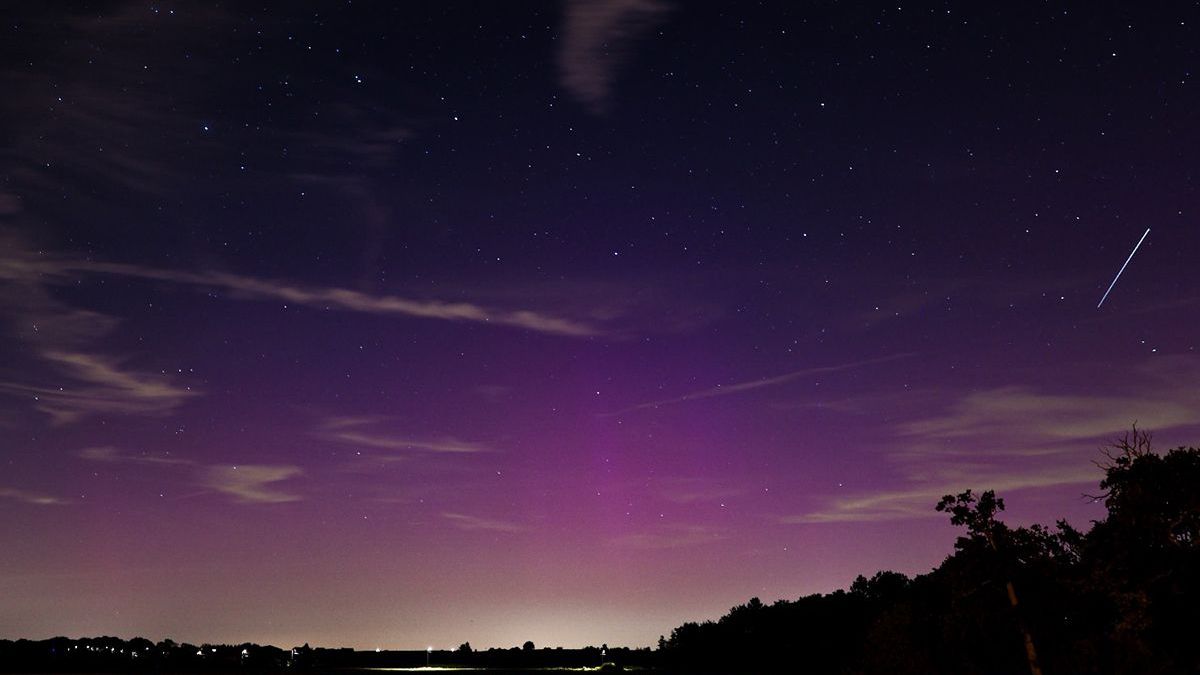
x=392, y=327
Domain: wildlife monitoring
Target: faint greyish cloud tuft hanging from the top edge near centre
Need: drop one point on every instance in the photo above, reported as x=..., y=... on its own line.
x=598, y=38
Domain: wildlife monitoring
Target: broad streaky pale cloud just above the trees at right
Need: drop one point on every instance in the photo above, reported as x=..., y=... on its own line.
x=1010, y=439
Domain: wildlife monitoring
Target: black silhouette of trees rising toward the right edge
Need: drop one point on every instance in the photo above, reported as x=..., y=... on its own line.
x=1124, y=598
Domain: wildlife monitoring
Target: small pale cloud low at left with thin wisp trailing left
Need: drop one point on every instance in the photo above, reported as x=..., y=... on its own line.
x=243, y=483
